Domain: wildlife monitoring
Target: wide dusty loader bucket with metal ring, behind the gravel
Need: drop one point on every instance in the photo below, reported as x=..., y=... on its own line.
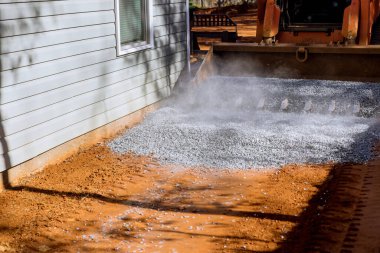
x=322, y=62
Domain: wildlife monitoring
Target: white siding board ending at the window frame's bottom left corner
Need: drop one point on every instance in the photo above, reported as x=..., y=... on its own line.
x=24, y=74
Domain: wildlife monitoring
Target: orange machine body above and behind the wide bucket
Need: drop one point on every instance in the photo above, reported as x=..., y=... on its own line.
x=323, y=21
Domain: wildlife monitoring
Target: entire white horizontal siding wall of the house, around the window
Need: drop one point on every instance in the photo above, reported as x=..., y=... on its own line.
x=61, y=77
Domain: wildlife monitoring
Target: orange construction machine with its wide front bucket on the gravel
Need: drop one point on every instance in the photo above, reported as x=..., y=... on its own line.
x=305, y=39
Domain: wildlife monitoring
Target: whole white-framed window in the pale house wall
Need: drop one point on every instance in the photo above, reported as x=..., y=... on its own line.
x=134, y=25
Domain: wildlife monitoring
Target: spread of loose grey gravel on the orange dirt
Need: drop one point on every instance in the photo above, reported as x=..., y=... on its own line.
x=259, y=123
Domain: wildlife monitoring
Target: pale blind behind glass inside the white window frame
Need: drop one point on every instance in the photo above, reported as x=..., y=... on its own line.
x=132, y=21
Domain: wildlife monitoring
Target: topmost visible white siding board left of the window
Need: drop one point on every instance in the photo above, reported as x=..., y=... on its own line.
x=49, y=8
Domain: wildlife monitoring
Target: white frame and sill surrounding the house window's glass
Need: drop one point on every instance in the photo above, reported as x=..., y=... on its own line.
x=141, y=45
